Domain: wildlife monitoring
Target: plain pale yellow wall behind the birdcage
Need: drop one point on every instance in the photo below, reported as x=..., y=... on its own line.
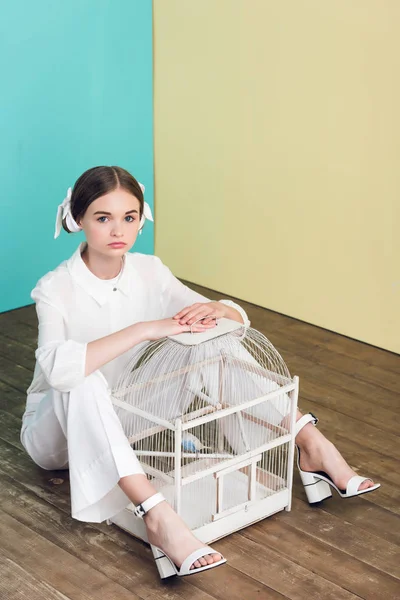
x=277, y=147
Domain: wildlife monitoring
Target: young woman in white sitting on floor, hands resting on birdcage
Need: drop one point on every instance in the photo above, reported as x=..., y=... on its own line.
x=92, y=310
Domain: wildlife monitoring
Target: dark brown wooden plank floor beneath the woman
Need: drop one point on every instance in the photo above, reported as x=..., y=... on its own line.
x=338, y=550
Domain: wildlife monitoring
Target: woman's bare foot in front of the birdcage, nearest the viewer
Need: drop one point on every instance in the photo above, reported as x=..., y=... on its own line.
x=167, y=531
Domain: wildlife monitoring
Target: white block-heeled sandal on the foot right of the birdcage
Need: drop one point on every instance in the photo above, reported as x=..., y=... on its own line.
x=318, y=484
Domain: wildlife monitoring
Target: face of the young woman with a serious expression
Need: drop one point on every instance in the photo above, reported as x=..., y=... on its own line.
x=111, y=223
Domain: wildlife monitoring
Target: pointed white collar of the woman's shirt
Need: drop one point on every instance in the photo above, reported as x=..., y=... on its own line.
x=95, y=286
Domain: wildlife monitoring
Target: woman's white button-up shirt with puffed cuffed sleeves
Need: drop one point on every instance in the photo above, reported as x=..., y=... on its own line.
x=75, y=307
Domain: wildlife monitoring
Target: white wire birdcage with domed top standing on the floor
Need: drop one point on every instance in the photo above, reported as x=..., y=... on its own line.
x=211, y=418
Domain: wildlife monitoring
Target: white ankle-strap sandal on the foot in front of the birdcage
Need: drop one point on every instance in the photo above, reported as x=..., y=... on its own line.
x=166, y=566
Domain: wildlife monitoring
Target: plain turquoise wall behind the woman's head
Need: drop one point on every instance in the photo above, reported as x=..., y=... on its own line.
x=76, y=91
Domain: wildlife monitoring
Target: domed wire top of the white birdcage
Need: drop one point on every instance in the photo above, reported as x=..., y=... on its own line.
x=185, y=375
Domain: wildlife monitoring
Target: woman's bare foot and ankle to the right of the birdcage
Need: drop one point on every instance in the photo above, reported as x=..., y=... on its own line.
x=319, y=454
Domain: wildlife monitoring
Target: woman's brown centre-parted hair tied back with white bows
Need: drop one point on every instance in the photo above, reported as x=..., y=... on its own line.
x=97, y=182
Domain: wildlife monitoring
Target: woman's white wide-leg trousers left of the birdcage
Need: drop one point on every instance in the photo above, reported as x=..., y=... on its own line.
x=80, y=430
